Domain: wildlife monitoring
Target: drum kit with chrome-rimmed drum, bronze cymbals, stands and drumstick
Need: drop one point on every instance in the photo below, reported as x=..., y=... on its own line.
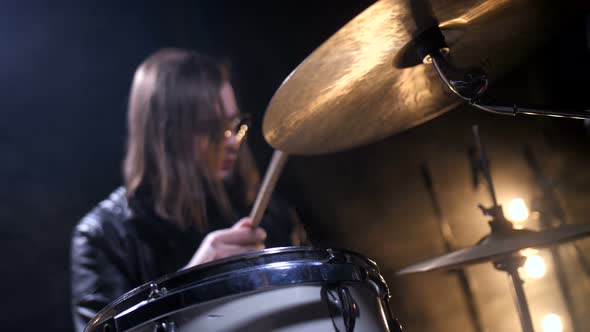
x=396, y=65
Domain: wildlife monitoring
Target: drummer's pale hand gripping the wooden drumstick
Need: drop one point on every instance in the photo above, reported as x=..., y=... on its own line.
x=239, y=239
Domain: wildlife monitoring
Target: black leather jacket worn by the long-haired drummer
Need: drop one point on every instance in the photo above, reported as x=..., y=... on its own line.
x=121, y=245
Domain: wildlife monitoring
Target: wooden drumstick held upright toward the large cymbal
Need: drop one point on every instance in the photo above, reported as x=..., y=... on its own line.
x=268, y=184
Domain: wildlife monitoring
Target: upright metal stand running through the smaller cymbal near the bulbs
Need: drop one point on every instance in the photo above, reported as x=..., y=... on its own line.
x=499, y=224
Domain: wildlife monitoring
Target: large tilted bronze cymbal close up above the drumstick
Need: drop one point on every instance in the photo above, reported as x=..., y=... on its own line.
x=362, y=85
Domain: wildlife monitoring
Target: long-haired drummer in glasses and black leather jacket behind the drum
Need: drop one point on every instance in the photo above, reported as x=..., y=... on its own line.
x=189, y=178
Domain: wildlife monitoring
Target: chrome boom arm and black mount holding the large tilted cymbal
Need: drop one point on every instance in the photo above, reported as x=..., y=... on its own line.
x=471, y=83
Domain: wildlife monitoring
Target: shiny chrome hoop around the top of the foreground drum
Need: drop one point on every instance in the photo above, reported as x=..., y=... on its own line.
x=249, y=273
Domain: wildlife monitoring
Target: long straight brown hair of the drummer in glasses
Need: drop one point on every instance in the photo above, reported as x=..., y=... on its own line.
x=174, y=103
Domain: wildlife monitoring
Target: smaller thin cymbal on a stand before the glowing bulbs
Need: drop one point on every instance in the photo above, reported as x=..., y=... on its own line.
x=495, y=246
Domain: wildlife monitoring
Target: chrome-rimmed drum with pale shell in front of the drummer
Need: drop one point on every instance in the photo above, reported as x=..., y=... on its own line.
x=278, y=289
